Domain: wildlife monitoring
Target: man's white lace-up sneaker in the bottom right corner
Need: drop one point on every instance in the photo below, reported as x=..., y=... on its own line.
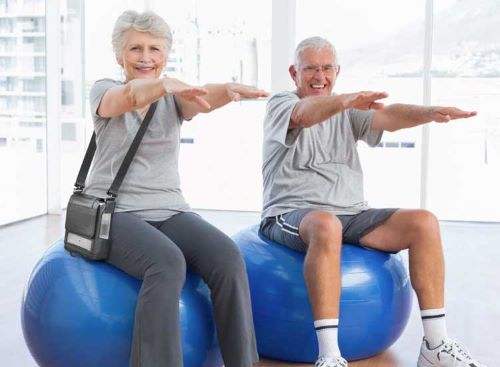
x=448, y=354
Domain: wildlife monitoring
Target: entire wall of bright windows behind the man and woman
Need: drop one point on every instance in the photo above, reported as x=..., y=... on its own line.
x=225, y=40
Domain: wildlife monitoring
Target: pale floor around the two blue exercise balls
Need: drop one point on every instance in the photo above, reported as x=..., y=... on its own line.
x=472, y=253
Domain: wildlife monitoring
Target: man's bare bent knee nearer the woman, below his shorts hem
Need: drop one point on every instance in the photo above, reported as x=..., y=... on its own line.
x=321, y=228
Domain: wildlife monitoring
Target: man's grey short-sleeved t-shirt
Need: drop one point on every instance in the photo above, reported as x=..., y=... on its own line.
x=316, y=167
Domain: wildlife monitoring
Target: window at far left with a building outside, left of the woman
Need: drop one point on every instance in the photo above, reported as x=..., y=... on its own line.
x=24, y=118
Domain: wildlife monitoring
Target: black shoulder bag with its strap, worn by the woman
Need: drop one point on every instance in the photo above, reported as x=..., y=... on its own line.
x=88, y=218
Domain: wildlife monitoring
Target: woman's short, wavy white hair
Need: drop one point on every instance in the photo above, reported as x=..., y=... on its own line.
x=147, y=21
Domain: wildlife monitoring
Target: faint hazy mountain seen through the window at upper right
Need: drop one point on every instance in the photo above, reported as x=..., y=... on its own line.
x=466, y=43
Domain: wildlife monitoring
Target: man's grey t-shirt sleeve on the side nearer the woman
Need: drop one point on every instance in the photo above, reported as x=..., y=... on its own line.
x=278, y=113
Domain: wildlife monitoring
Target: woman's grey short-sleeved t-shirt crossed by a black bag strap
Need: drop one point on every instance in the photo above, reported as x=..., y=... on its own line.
x=151, y=188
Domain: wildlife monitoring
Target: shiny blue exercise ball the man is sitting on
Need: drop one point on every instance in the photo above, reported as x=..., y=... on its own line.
x=375, y=302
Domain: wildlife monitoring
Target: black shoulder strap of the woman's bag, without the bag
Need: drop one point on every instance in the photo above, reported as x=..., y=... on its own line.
x=89, y=155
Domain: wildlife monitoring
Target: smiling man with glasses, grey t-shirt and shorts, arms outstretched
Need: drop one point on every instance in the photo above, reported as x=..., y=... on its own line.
x=313, y=197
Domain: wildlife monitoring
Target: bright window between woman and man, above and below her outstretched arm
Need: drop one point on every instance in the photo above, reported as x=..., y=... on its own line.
x=220, y=161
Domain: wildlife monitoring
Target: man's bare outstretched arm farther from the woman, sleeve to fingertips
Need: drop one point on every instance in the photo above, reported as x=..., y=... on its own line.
x=400, y=116
